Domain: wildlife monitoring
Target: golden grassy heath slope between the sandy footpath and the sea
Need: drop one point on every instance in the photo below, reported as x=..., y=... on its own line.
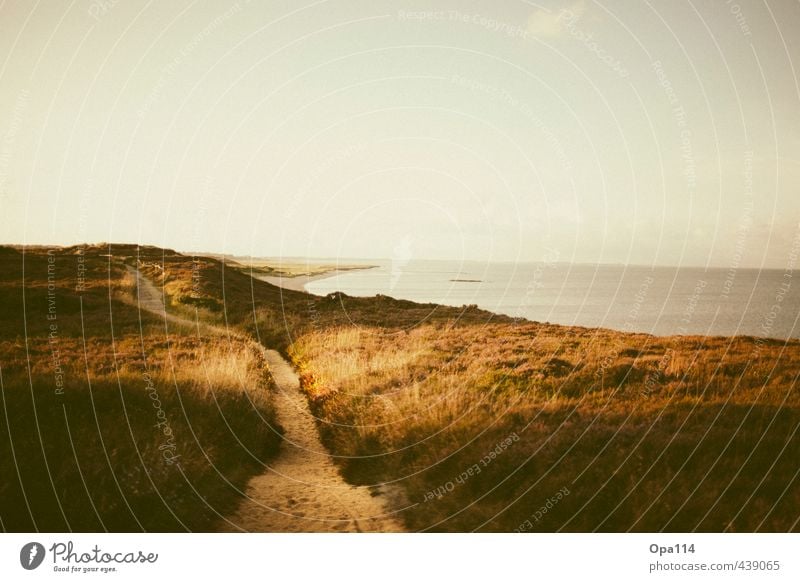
x=644, y=433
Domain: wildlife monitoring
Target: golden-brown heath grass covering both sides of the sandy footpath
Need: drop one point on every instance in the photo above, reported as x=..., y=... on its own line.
x=482, y=421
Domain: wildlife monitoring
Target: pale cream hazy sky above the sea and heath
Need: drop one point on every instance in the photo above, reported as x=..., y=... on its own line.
x=655, y=133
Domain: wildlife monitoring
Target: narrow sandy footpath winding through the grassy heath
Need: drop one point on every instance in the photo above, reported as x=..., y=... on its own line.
x=302, y=490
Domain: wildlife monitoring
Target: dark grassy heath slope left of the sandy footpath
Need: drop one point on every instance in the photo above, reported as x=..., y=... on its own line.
x=97, y=454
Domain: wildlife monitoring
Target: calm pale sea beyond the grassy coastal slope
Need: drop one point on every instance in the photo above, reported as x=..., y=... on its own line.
x=662, y=301
